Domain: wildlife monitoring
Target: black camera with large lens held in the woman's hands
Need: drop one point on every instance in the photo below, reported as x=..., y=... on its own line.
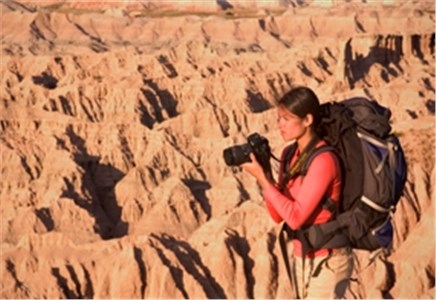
x=256, y=144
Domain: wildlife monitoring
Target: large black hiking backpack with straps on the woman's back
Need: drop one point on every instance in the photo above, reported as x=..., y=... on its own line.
x=374, y=174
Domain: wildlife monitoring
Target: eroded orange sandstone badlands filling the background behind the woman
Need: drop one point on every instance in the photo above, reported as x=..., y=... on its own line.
x=114, y=119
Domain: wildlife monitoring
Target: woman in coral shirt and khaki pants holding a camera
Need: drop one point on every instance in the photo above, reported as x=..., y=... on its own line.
x=300, y=203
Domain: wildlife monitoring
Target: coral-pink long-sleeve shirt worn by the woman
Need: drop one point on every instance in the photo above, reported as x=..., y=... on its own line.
x=299, y=204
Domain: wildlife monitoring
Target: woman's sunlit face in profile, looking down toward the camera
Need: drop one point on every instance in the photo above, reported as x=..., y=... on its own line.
x=291, y=126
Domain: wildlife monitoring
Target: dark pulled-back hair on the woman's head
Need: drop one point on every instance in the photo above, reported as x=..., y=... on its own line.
x=301, y=101
